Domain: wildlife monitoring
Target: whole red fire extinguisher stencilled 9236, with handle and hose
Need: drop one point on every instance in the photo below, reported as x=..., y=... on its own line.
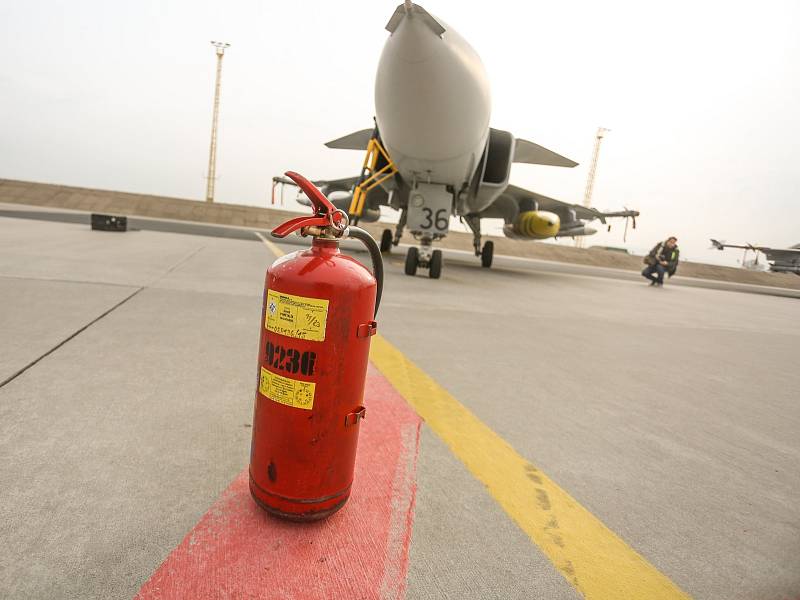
x=317, y=320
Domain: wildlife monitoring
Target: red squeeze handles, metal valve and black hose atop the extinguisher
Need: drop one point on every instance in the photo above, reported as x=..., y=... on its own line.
x=330, y=223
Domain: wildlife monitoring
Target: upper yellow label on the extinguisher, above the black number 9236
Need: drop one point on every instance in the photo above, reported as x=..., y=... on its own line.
x=296, y=316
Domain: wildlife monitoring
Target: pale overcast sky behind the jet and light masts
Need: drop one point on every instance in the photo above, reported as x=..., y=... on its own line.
x=703, y=100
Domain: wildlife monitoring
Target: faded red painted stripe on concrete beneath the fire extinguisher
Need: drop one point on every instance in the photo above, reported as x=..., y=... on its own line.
x=237, y=551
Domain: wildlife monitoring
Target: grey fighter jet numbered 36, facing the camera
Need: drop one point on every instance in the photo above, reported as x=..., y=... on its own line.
x=432, y=154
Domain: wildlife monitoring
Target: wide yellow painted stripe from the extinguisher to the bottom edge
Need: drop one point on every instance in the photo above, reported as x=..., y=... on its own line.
x=588, y=554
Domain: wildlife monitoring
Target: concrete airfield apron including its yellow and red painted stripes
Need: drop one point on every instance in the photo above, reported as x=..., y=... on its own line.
x=652, y=423
